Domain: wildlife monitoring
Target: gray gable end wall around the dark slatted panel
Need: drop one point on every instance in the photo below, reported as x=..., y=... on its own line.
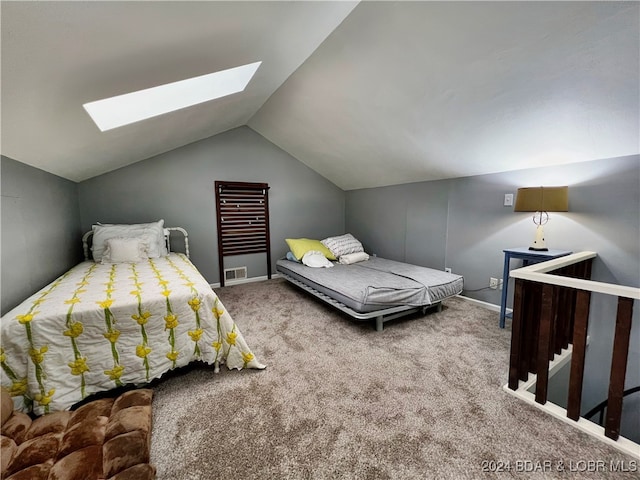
x=178, y=186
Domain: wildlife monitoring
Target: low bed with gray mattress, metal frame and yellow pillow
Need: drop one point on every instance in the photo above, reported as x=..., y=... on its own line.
x=368, y=287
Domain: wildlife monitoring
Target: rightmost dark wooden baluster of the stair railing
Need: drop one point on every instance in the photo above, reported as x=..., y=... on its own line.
x=618, y=367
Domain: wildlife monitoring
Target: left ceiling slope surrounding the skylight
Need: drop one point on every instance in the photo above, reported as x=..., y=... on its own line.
x=56, y=56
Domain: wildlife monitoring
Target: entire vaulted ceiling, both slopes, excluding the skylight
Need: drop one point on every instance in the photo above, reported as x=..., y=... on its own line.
x=366, y=94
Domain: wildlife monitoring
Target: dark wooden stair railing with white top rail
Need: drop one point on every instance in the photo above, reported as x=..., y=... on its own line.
x=549, y=313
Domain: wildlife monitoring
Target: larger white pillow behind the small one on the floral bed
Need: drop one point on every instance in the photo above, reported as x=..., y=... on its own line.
x=152, y=233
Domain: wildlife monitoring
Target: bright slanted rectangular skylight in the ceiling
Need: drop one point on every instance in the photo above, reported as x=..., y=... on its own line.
x=132, y=107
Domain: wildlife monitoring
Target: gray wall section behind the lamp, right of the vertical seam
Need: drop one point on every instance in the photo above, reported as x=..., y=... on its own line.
x=604, y=197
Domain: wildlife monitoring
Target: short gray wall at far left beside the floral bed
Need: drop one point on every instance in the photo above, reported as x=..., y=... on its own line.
x=40, y=230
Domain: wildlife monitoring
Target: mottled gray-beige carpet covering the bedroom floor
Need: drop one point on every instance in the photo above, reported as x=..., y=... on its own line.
x=338, y=400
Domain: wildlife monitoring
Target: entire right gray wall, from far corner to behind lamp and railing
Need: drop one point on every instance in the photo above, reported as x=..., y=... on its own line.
x=462, y=224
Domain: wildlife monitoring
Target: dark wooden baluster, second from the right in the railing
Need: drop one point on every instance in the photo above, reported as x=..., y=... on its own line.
x=576, y=378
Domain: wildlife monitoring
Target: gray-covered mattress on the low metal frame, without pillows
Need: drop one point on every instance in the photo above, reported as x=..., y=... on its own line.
x=377, y=283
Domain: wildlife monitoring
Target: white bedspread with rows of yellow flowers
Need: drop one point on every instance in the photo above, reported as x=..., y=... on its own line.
x=99, y=327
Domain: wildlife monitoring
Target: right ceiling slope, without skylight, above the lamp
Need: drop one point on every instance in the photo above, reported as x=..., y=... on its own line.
x=409, y=91
